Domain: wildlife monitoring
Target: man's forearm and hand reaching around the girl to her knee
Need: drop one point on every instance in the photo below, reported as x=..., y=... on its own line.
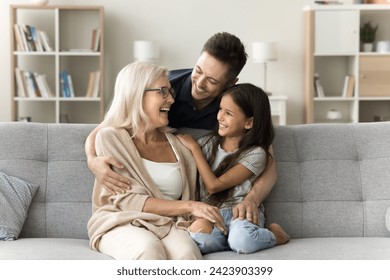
x=262, y=187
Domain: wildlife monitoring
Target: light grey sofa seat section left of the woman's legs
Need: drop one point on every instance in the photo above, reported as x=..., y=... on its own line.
x=49, y=248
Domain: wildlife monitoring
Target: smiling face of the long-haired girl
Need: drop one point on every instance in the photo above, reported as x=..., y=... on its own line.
x=232, y=120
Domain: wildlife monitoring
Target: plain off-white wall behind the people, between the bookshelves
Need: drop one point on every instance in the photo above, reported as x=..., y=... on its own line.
x=181, y=27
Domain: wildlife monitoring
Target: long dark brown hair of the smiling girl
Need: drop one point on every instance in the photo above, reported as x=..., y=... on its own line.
x=254, y=103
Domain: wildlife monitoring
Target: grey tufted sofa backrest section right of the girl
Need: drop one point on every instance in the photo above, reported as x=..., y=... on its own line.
x=333, y=180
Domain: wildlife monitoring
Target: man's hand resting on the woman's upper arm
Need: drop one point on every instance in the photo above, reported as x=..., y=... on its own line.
x=112, y=181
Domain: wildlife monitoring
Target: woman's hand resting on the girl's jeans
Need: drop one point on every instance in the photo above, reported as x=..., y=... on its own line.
x=208, y=212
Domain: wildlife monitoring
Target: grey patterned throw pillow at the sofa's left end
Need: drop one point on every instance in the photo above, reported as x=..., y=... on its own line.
x=15, y=199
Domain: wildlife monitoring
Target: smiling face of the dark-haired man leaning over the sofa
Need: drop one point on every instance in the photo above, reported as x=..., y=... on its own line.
x=209, y=78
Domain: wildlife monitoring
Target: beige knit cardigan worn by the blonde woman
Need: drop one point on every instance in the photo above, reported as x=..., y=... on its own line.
x=109, y=211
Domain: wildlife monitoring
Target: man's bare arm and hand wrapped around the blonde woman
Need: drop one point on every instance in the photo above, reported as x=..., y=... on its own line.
x=101, y=166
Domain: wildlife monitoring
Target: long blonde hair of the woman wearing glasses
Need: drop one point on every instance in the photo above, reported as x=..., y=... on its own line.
x=126, y=109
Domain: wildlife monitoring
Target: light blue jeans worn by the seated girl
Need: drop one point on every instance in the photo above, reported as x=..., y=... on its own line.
x=243, y=236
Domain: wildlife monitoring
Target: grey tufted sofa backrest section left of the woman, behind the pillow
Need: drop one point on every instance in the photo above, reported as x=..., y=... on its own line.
x=52, y=156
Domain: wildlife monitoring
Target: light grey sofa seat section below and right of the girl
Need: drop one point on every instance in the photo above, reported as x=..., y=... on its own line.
x=332, y=248
